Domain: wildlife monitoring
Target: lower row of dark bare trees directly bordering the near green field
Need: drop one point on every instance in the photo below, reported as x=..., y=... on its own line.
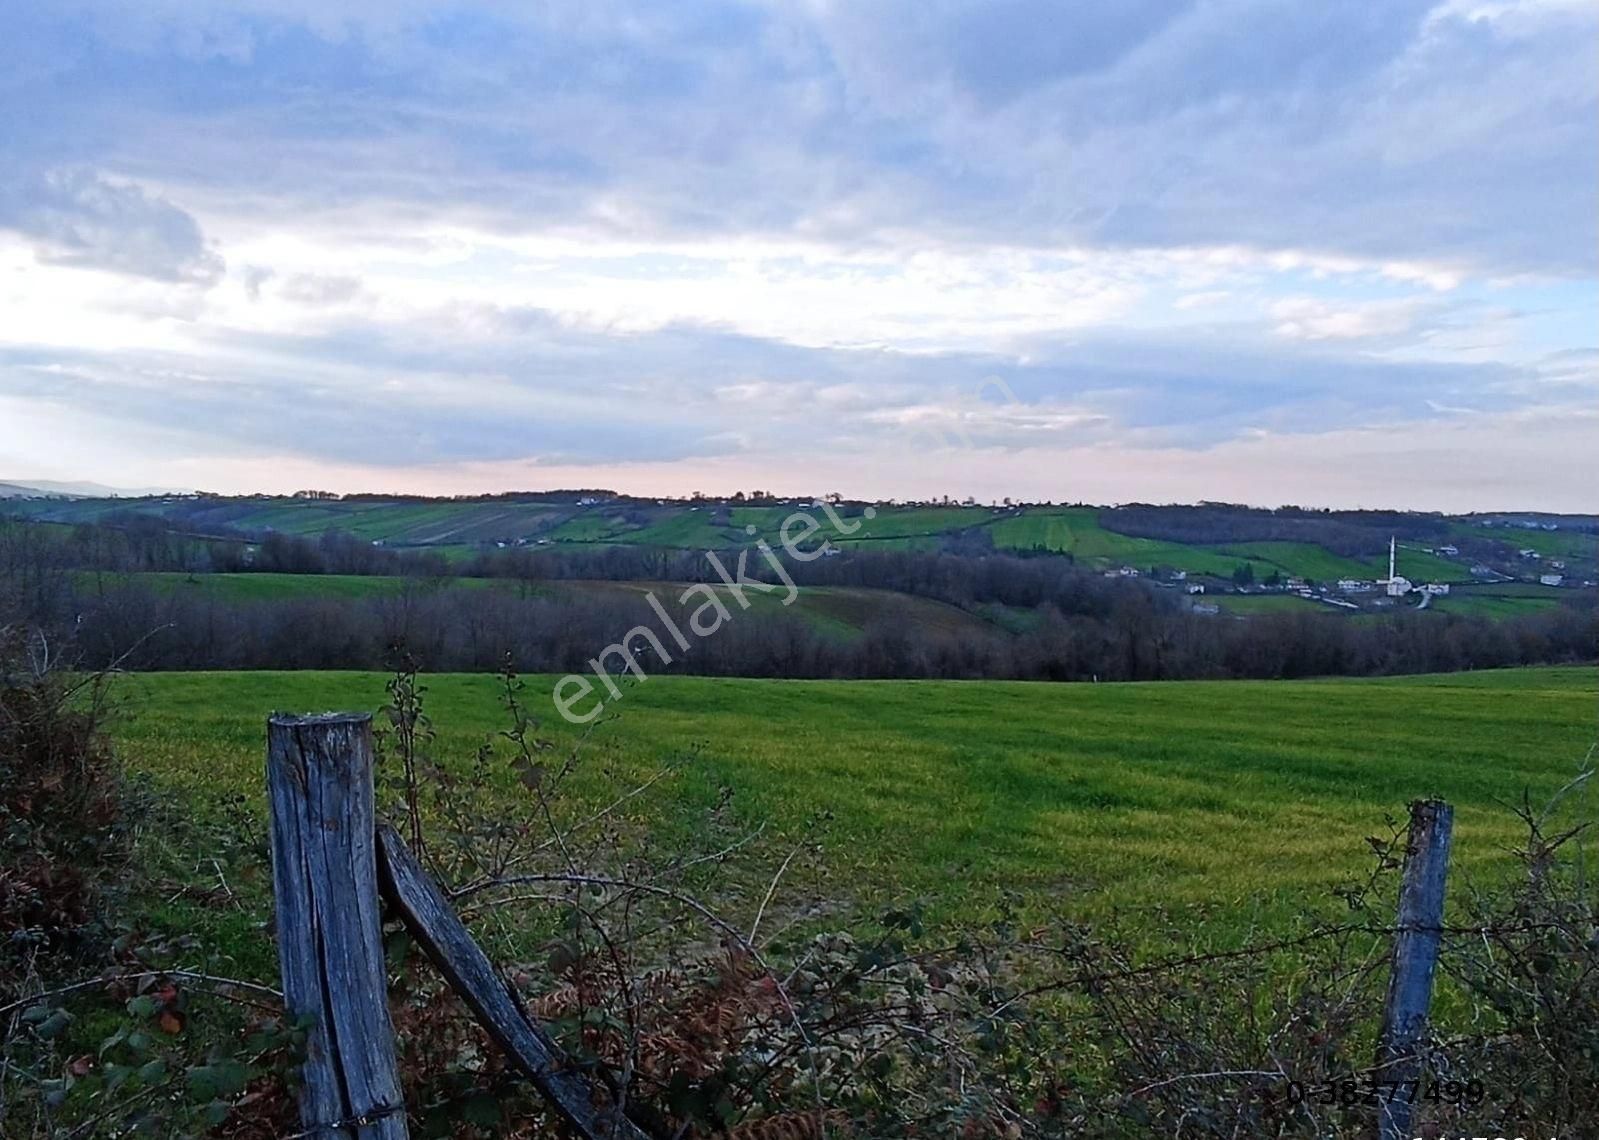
x=1125, y=634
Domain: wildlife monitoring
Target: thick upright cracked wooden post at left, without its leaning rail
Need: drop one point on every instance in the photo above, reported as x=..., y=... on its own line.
x=330, y=936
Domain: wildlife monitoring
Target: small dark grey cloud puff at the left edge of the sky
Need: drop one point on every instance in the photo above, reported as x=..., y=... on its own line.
x=79, y=218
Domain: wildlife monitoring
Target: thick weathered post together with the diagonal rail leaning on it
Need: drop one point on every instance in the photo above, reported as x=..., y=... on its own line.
x=330, y=866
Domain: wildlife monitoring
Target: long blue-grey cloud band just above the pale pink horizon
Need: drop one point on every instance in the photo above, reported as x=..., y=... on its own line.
x=532, y=388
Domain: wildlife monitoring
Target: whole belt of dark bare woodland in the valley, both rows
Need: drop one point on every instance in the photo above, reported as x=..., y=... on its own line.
x=1079, y=624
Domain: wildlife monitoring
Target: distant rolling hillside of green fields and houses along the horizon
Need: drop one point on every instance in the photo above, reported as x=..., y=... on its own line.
x=1432, y=549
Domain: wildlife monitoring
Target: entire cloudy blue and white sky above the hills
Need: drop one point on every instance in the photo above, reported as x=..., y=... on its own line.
x=1270, y=252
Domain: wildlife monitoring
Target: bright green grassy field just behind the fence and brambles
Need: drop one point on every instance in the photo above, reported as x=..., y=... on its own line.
x=1245, y=797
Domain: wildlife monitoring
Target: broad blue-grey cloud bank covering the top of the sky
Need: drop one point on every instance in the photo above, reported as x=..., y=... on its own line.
x=1386, y=130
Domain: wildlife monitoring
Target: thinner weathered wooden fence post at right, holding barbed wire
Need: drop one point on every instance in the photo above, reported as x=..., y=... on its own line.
x=1414, y=963
